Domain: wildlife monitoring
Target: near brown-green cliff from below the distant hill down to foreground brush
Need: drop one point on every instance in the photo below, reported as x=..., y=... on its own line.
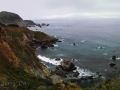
x=18, y=61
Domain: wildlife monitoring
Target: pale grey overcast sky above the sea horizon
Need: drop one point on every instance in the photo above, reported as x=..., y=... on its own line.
x=37, y=9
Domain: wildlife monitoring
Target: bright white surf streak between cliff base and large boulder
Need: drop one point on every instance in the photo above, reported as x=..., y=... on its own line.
x=52, y=61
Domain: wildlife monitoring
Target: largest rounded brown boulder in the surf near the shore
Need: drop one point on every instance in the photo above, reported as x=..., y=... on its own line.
x=67, y=65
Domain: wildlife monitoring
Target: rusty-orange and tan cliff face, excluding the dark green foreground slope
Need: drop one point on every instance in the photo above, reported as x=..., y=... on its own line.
x=15, y=47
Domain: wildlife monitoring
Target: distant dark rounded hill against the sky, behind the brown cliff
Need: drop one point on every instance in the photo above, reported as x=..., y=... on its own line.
x=12, y=18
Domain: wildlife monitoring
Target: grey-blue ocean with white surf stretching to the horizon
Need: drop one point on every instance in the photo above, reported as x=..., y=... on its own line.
x=96, y=41
